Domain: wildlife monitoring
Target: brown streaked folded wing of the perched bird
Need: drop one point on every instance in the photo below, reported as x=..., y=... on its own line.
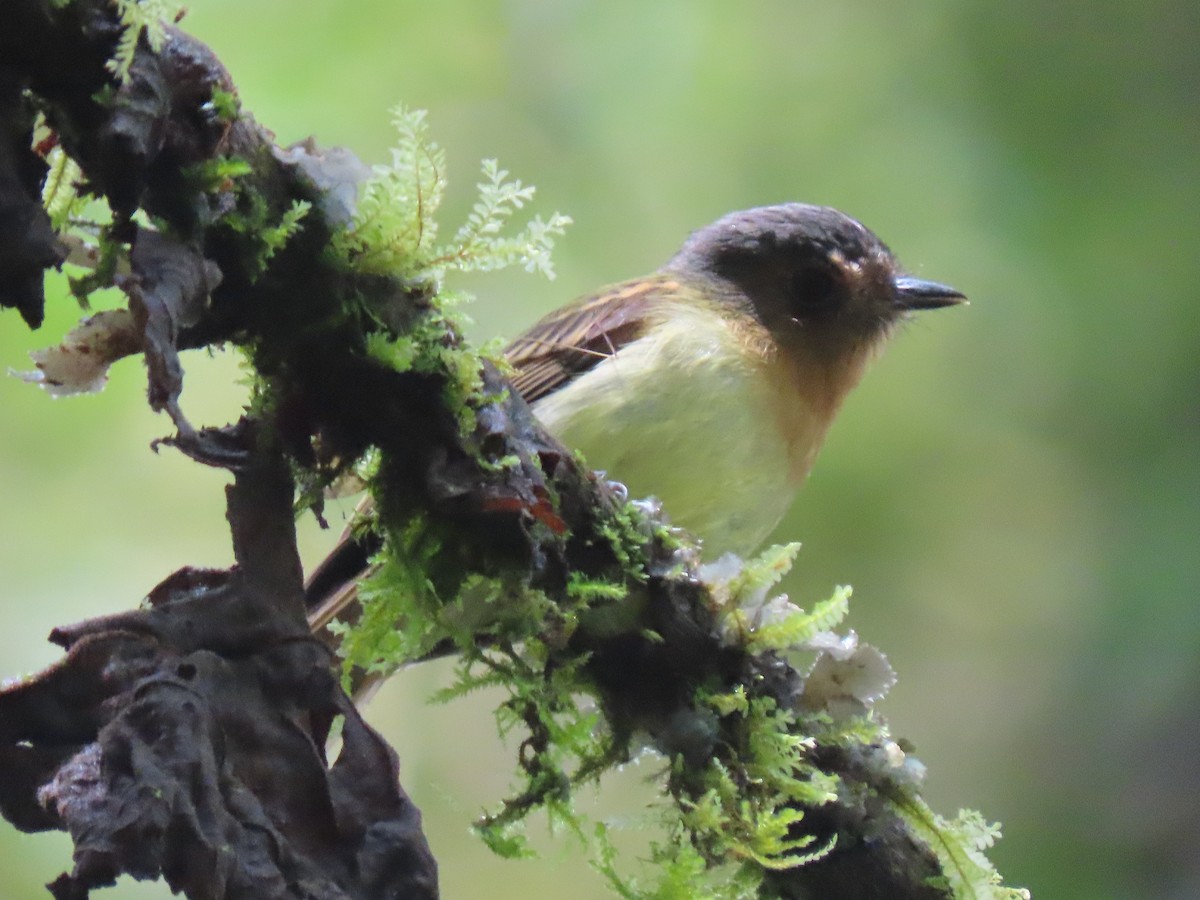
x=579, y=337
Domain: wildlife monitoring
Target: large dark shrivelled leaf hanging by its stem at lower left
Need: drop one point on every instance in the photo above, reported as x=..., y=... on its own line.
x=187, y=741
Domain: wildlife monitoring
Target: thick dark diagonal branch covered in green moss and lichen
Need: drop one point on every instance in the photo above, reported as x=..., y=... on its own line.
x=491, y=537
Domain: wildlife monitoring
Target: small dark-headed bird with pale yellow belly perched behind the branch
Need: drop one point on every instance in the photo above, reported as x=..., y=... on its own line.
x=711, y=385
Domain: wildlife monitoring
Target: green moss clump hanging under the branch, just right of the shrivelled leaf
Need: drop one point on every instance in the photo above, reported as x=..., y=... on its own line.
x=511, y=638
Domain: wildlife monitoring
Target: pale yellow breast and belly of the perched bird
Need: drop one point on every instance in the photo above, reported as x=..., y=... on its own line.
x=704, y=416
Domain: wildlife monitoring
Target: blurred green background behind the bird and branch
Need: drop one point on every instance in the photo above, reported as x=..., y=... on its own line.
x=1013, y=491
